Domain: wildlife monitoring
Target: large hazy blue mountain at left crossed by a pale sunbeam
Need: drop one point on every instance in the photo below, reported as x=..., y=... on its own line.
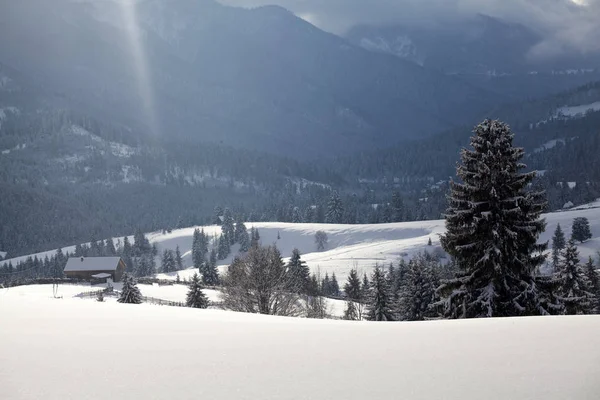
x=259, y=78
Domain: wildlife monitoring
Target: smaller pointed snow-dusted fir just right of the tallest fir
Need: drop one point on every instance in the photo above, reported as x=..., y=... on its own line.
x=574, y=288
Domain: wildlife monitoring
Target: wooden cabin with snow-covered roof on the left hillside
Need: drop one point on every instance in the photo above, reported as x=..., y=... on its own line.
x=87, y=267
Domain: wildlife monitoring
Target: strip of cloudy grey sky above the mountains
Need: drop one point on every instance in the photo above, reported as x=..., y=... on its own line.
x=565, y=25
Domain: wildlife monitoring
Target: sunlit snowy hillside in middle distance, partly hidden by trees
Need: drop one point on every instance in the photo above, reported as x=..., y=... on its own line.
x=358, y=246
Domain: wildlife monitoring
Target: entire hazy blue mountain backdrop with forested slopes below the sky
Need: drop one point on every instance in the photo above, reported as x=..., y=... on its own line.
x=111, y=110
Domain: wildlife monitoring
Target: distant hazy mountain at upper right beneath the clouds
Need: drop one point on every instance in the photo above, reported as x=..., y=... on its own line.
x=485, y=51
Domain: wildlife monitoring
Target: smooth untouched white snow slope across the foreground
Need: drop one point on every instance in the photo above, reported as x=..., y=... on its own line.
x=81, y=349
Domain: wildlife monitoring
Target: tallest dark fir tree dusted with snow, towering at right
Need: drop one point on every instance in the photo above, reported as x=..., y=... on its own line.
x=493, y=225
